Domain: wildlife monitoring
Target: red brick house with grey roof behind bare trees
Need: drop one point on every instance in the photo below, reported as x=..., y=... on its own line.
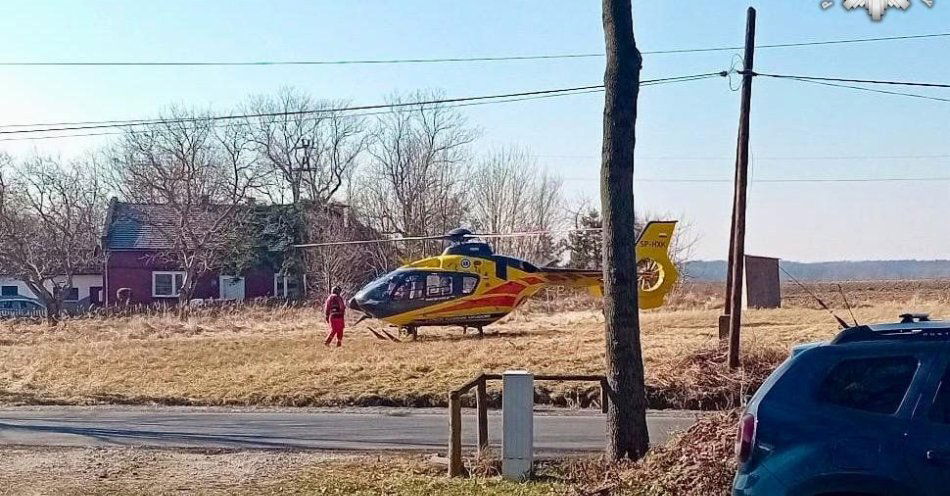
x=131, y=249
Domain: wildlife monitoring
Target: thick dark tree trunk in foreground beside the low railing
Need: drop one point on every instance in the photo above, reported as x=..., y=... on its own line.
x=627, y=436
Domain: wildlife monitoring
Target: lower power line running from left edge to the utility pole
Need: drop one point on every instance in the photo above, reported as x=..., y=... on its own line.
x=86, y=125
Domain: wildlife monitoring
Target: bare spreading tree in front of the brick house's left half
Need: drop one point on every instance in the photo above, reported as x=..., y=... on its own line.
x=191, y=180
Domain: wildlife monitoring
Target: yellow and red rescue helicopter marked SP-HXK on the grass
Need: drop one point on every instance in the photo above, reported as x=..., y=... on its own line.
x=469, y=285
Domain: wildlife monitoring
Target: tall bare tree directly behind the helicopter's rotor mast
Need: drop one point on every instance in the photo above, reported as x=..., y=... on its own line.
x=414, y=182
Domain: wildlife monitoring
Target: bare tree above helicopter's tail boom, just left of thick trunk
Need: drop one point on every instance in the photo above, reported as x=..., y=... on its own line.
x=510, y=193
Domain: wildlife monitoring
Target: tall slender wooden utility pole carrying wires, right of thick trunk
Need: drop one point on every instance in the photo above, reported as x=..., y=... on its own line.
x=737, y=257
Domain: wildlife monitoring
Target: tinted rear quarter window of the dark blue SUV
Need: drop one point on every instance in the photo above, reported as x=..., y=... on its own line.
x=875, y=385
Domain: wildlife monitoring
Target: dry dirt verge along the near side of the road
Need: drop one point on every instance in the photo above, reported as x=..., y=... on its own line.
x=137, y=471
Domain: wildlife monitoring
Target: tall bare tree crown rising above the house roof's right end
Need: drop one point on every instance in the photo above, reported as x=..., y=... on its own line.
x=292, y=128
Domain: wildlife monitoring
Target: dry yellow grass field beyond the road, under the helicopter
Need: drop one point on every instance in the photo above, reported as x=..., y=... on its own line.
x=261, y=356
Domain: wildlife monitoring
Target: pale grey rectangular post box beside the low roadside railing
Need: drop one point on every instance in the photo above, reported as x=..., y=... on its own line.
x=517, y=417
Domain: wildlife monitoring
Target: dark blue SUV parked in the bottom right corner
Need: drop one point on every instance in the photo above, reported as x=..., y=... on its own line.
x=867, y=413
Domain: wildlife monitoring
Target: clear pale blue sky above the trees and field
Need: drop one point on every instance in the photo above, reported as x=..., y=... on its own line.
x=797, y=221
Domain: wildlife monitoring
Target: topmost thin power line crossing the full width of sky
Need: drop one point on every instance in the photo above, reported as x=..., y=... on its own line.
x=506, y=58
